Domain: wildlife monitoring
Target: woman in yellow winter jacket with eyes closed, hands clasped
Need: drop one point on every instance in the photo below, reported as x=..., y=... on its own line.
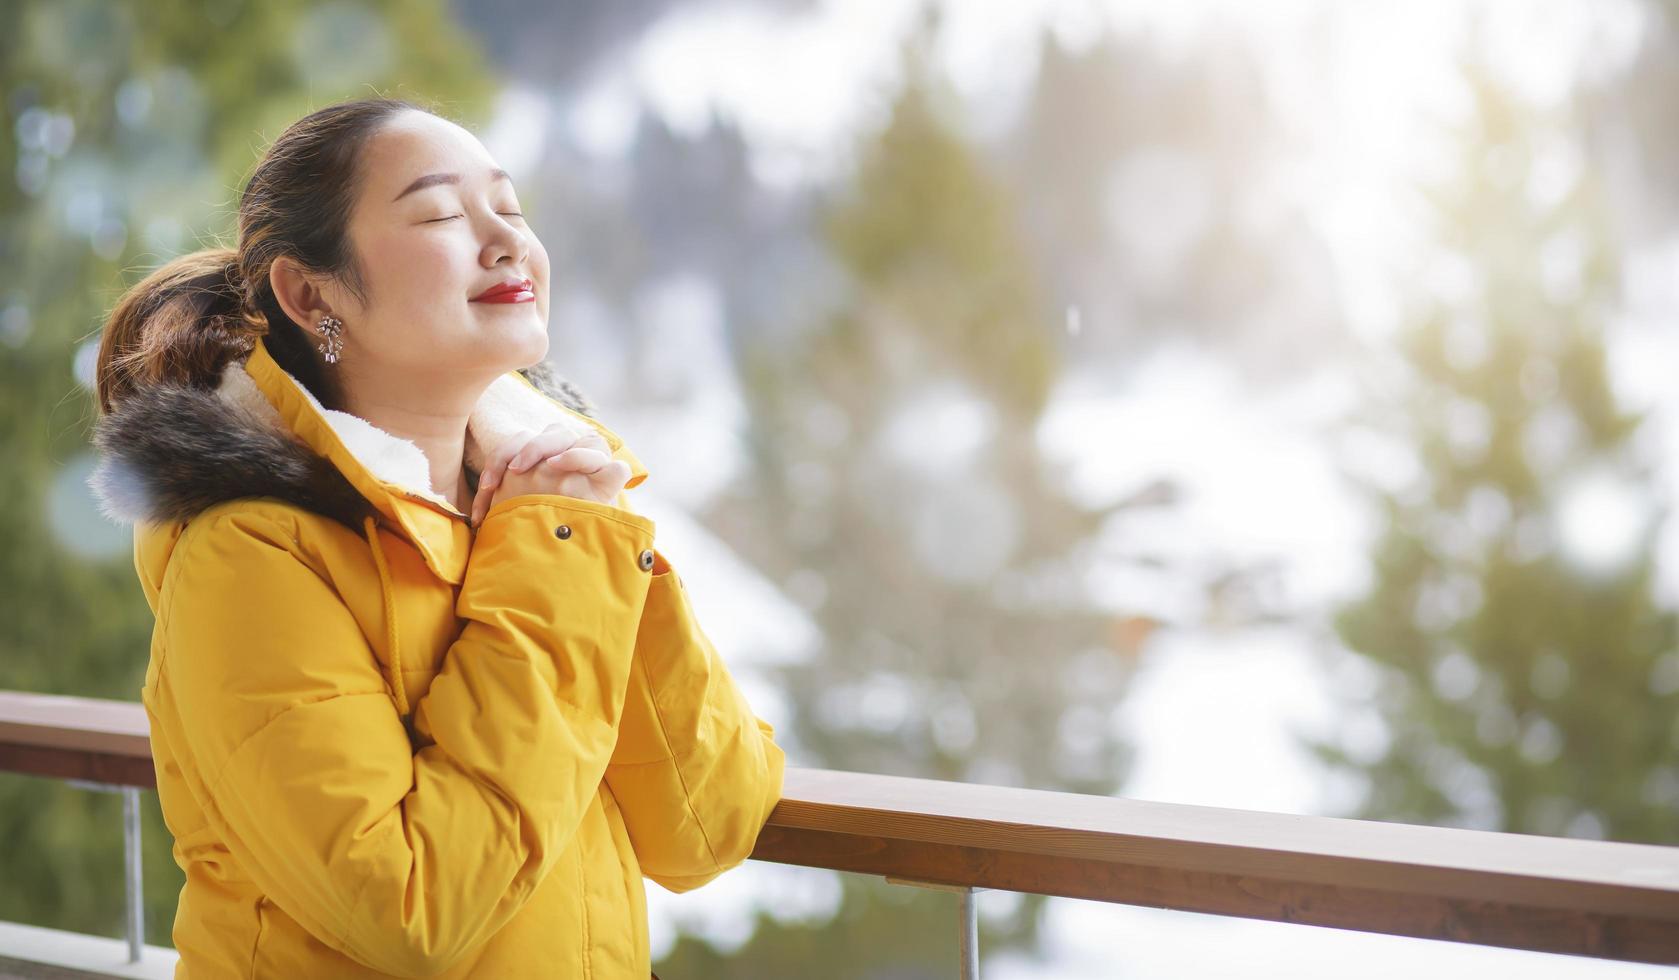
x=426, y=701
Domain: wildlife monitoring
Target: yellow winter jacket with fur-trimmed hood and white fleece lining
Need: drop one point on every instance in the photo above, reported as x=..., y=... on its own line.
x=392, y=746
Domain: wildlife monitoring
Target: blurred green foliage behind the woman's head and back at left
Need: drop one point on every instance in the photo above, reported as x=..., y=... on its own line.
x=167, y=107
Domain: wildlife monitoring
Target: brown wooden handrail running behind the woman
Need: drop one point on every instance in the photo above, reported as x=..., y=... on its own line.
x=1559, y=895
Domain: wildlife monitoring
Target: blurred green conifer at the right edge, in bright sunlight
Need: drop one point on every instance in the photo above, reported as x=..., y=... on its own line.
x=1520, y=685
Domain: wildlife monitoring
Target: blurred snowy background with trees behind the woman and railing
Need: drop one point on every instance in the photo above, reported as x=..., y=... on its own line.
x=1252, y=405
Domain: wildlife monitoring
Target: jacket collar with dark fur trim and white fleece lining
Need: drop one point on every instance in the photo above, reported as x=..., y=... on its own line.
x=170, y=452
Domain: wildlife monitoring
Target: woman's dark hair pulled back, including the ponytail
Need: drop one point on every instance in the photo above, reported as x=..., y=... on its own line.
x=186, y=321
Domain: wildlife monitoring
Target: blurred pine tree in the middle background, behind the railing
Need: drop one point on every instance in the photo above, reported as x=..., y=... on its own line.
x=897, y=489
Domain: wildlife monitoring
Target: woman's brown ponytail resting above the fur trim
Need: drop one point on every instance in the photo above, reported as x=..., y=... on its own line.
x=179, y=326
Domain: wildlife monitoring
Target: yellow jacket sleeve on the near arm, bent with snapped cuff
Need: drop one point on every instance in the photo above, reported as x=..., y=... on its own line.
x=400, y=858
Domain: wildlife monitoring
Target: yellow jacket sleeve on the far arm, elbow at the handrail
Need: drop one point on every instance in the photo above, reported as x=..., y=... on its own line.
x=696, y=773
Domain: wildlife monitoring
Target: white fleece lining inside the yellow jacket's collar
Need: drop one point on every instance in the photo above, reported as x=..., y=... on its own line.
x=506, y=409
